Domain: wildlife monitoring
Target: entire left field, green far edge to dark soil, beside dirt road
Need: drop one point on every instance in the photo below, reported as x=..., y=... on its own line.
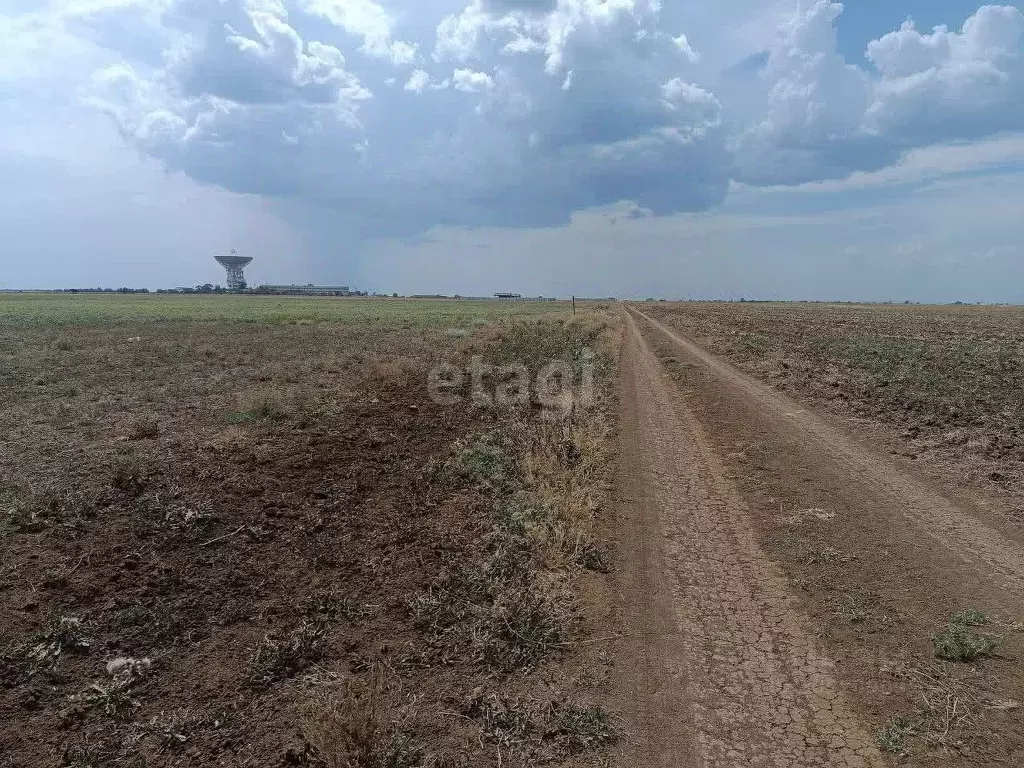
x=239, y=532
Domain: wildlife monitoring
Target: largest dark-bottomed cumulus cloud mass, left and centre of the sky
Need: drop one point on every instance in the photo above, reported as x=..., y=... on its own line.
x=593, y=109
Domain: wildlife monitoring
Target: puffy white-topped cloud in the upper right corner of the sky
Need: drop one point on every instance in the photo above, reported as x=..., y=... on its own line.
x=825, y=119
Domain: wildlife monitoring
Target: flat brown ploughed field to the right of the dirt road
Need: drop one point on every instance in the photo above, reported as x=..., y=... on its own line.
x=951, y=378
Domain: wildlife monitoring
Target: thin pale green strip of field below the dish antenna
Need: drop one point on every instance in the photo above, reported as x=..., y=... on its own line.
x=63, y=310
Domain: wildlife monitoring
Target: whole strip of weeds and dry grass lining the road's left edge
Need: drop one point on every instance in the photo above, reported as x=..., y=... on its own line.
x=543, y=477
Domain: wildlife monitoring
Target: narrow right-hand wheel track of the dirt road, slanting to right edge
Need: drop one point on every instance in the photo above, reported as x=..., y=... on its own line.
x=987, y=549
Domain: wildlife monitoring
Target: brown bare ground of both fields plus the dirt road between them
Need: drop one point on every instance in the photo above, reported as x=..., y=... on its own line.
x=254, y=544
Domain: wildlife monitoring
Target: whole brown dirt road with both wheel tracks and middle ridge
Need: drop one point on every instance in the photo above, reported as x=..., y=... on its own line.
x=724, y=665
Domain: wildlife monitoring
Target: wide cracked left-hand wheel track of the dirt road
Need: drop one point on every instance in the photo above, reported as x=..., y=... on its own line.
x=727, y=673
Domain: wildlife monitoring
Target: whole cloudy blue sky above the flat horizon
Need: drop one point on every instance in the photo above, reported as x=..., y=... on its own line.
x=758, y=149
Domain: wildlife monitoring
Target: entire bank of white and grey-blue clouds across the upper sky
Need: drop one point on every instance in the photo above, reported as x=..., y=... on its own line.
x=517, y=113
